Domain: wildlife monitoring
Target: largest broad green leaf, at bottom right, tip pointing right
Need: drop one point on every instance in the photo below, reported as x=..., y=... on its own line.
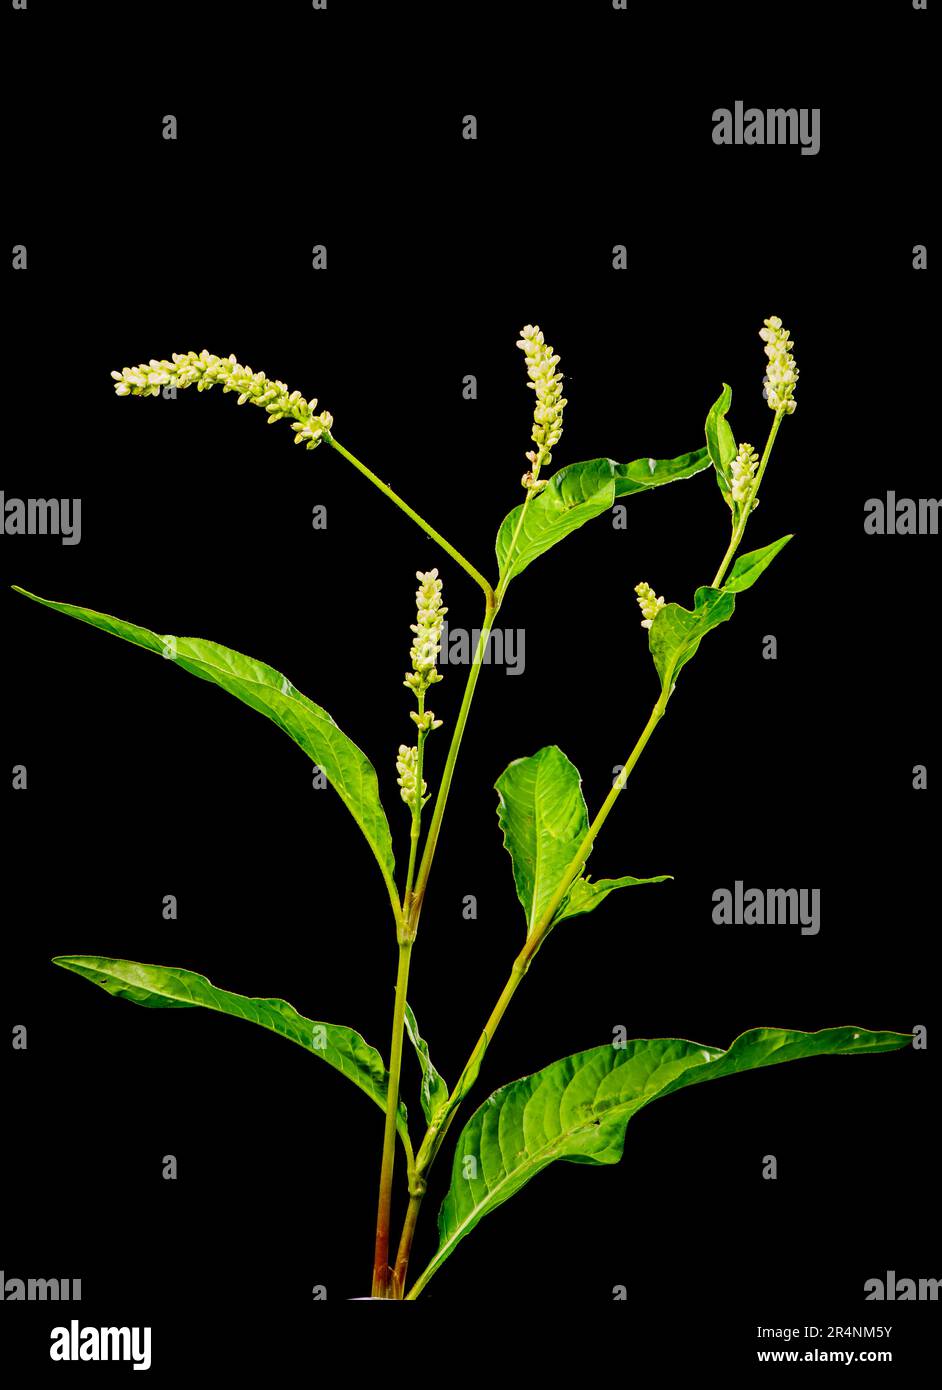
x=579, y=1110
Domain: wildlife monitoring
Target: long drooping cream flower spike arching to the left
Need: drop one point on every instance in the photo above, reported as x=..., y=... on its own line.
x=205, y=370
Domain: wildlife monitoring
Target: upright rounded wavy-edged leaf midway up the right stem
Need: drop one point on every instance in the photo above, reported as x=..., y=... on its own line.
x=544, y=818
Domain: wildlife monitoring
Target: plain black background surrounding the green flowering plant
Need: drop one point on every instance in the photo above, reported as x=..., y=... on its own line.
x=344, y=129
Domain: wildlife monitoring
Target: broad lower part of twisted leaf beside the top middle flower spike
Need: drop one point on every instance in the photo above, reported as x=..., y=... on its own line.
x=572, y=498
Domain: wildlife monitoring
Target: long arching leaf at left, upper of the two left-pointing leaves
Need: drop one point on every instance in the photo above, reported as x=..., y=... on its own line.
x=347, y=768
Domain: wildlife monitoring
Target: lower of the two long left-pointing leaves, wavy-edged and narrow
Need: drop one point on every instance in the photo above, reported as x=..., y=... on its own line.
x=166, y=988
